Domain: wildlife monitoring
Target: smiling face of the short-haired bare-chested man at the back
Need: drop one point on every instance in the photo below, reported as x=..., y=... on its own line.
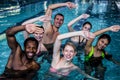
x=58, y=21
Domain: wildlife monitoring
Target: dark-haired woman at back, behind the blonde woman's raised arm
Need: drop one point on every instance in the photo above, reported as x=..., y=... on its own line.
x=79, y=41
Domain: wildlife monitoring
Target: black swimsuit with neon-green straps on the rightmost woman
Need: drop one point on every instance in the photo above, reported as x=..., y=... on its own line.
x=95, y=64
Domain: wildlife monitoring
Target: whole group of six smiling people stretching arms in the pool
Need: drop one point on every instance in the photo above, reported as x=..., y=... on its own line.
x=21, y=64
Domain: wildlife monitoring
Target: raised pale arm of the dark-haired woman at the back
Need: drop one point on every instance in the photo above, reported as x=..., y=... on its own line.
x=76, y=20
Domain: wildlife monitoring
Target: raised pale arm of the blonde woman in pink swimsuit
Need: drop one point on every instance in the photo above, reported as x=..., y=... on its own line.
x=57, y=44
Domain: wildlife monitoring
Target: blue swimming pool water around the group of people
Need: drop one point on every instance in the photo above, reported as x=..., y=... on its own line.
x=103, y=14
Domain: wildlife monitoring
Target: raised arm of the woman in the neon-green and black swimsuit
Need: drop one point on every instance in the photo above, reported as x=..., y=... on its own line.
x=114, y=28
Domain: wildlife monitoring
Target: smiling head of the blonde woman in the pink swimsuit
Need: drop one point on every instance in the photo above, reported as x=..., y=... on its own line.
x=69, y=52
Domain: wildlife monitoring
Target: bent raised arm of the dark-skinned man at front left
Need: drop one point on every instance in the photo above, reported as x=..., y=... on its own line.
x=10, y=33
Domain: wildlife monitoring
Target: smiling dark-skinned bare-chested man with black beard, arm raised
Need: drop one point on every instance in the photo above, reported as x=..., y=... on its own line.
x=21, y=65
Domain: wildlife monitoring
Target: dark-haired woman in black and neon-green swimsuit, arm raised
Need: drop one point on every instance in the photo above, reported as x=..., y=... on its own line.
x=95, y=54
